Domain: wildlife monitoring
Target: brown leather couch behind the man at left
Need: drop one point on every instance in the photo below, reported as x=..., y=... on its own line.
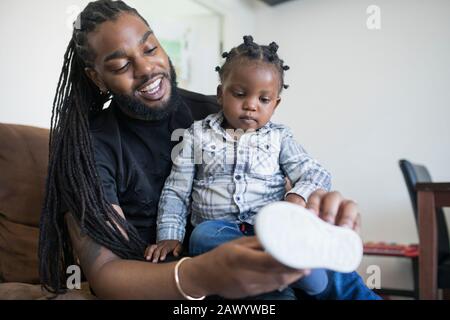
x=23, y=167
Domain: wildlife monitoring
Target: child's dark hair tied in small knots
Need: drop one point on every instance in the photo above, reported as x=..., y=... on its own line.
x=252, y=51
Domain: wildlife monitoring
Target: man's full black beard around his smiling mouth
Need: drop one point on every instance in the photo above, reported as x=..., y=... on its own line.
x=134, y=107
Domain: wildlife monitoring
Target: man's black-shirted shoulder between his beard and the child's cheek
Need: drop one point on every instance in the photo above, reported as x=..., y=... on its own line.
x=200, y=105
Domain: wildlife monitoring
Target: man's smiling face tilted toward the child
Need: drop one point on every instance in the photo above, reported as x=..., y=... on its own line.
x=131, y=64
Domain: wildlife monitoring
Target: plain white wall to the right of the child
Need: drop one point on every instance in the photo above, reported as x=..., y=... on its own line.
x=361, y=99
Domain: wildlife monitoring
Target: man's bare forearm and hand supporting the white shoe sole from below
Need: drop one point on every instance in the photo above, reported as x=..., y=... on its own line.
x=234, y=270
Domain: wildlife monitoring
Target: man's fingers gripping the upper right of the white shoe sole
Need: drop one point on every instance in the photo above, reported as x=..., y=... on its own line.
x=333, y=208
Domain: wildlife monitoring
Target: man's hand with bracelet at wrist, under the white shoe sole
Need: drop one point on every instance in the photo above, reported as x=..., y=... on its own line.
x=237, y=269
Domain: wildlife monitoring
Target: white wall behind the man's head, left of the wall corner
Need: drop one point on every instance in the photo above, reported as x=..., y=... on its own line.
x=35, y=35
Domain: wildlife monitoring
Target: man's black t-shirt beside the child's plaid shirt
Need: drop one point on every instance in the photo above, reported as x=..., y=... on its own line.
x=133, y=156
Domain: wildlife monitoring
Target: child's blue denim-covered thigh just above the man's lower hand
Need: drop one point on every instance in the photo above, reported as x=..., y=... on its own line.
x=210, y=234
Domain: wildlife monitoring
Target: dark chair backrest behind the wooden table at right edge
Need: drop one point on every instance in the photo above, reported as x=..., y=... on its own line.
x=414, y=173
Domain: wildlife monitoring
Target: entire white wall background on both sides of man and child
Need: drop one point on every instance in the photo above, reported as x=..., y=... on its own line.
x=359, y=99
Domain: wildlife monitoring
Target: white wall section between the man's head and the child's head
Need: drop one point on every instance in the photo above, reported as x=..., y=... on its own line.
x=171, y=18
